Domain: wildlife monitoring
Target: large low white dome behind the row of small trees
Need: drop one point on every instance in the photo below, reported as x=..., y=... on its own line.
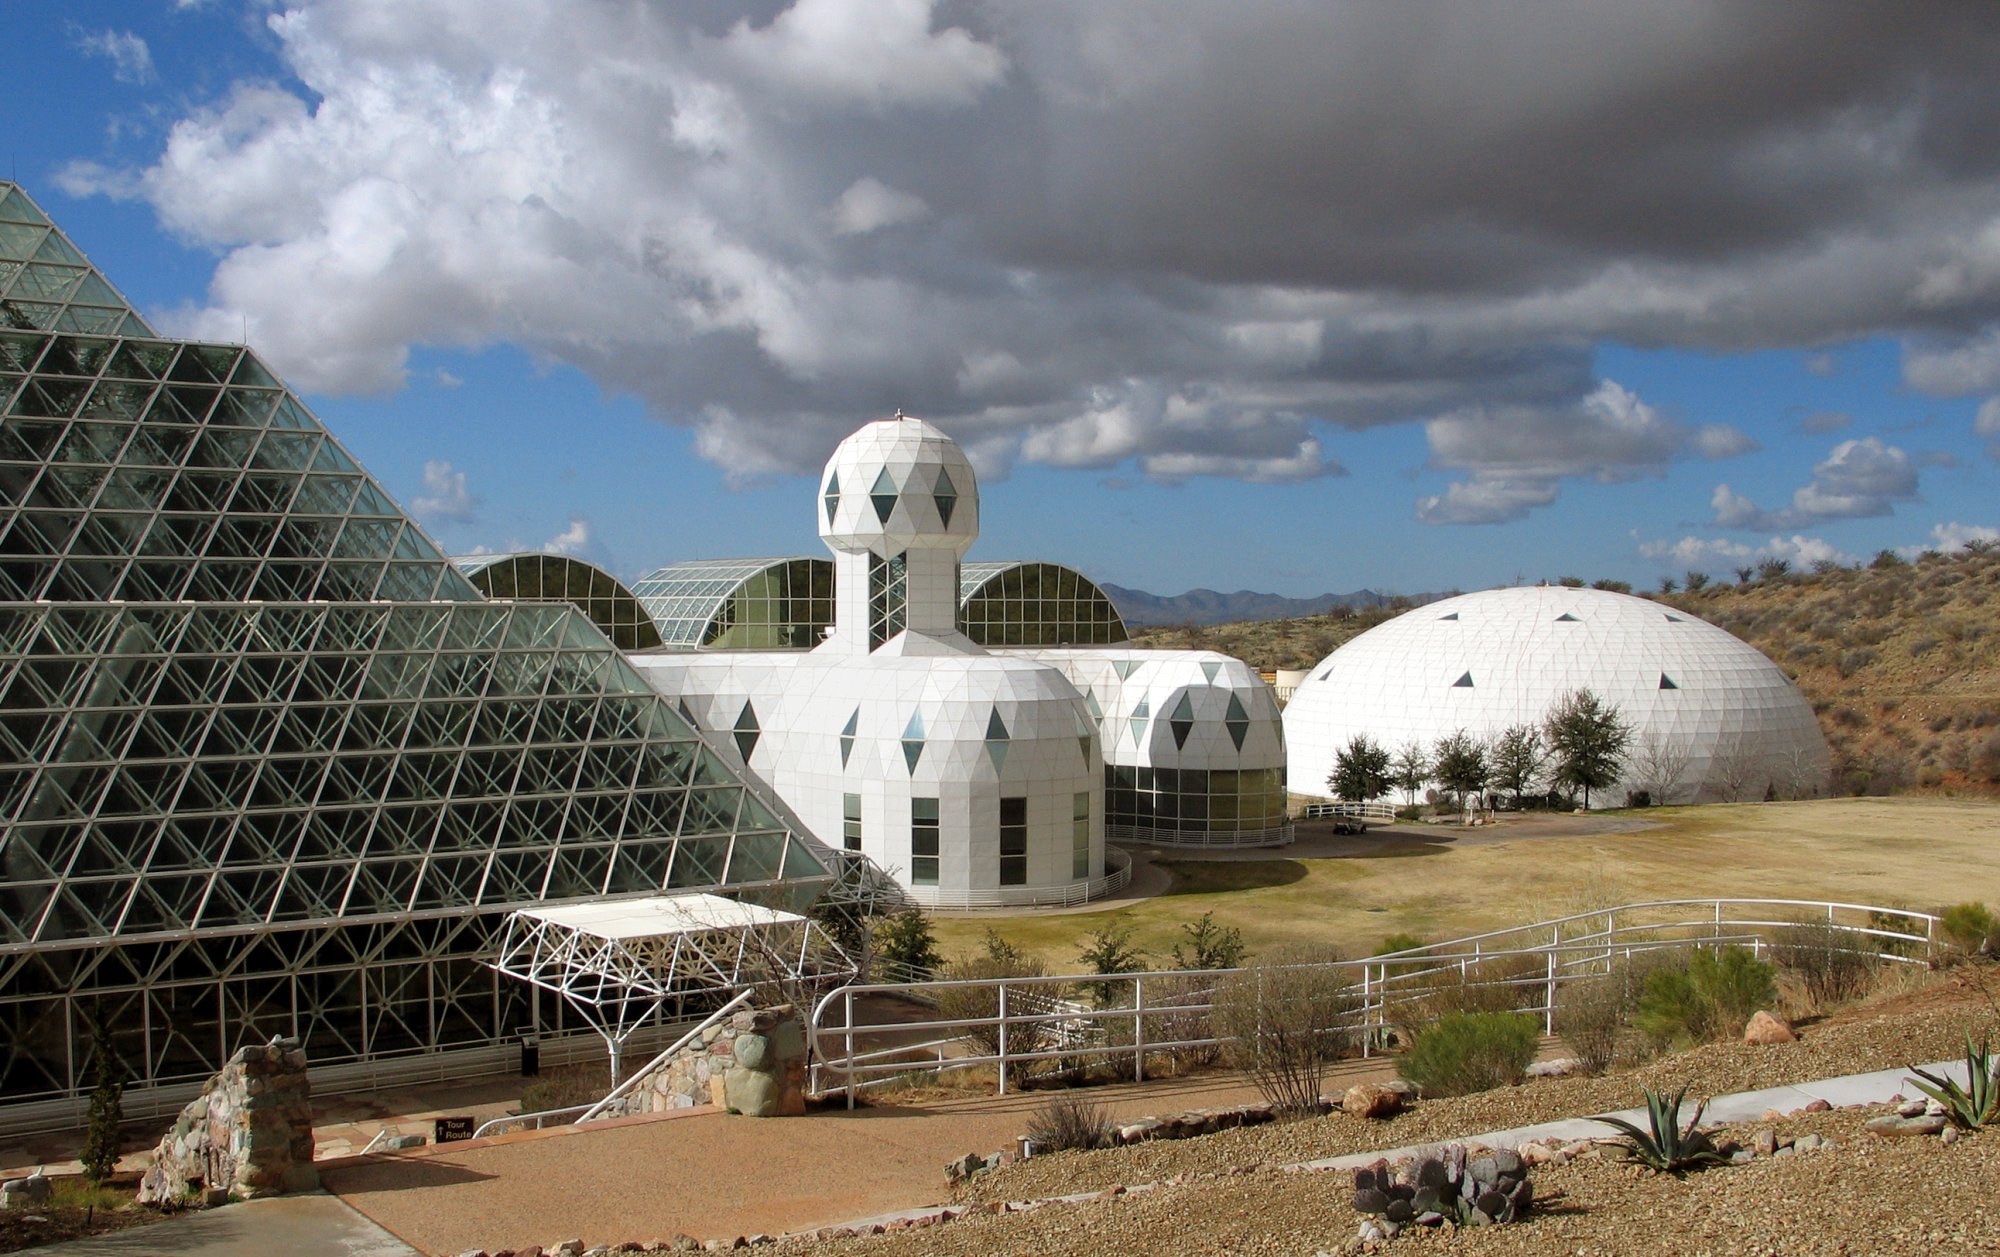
x=1697, y=698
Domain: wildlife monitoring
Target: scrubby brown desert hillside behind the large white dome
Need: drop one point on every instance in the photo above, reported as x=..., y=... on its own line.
x=1899, y=658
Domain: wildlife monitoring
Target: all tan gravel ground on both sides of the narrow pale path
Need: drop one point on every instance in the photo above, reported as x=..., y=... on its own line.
x=1225, y=1194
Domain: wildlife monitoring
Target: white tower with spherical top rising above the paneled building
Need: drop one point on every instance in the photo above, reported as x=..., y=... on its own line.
x=899, y=507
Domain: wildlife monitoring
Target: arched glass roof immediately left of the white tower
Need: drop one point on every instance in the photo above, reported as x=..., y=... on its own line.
x=741, y=603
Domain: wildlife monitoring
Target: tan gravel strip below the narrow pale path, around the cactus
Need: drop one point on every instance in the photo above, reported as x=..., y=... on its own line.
x=1863, y=1198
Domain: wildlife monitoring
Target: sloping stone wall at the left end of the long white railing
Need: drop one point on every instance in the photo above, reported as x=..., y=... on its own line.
x=753, y=1064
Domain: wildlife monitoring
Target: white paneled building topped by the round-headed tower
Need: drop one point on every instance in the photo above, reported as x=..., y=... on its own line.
x=973, y=778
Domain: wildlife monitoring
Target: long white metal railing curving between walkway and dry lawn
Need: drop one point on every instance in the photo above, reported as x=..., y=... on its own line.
x=1013, y=1024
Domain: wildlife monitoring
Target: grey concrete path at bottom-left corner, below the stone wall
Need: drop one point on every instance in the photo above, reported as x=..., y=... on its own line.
x=295, y=1226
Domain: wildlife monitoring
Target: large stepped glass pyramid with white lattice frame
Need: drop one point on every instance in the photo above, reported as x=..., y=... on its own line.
x=269, y=764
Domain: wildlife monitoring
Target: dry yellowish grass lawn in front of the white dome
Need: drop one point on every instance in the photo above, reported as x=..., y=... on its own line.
x=1915, y=854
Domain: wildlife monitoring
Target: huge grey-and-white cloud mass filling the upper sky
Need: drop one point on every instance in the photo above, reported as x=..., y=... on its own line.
x=1181, y=239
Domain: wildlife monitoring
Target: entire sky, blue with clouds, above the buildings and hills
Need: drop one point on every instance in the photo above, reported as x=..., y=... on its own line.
x=1361, y=297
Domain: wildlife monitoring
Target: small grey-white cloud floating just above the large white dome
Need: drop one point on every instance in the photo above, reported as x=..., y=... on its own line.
x=1519, y=455
